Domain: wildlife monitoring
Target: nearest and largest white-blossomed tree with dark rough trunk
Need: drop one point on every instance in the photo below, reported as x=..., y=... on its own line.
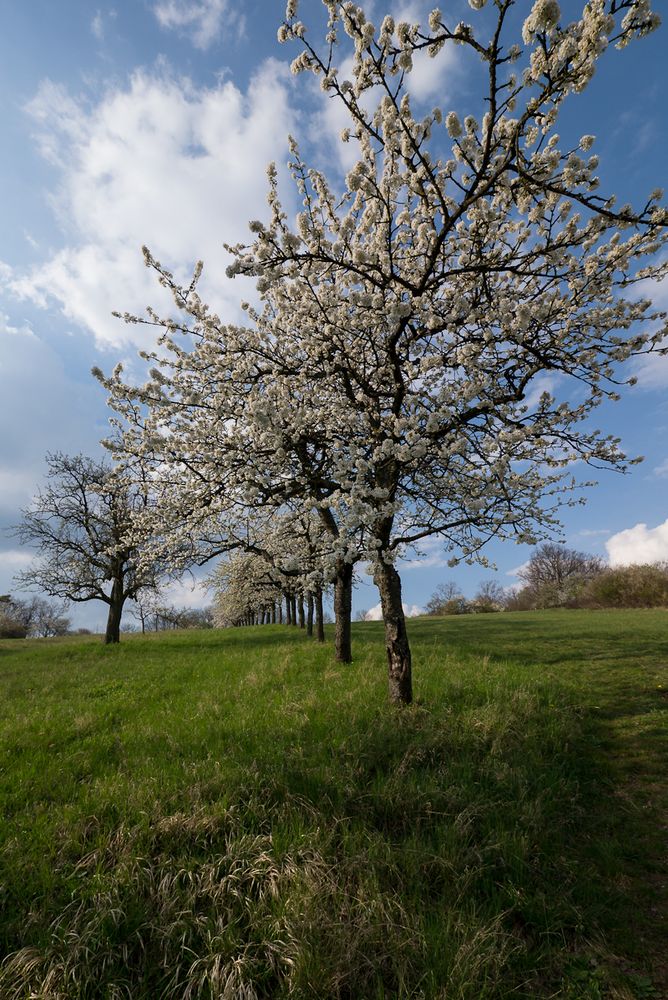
x=393, y=377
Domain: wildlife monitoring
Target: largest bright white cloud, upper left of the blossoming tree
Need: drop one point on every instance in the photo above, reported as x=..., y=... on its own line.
x=158, y=162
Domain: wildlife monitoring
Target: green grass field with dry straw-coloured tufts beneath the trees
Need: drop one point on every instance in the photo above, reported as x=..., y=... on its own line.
x=232, y=814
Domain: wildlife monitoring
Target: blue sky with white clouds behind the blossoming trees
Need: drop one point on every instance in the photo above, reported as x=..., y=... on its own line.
x=152, y=121
